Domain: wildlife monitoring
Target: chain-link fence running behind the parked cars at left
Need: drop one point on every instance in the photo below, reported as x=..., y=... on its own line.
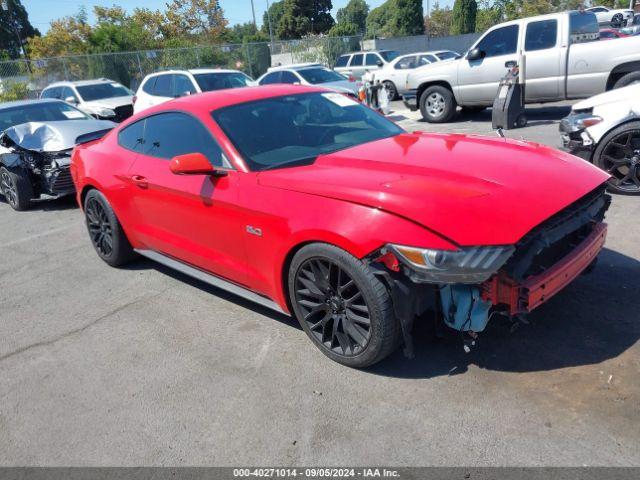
x=129, y=68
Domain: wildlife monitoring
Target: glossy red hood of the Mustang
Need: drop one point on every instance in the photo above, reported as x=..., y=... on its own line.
x=472, y=190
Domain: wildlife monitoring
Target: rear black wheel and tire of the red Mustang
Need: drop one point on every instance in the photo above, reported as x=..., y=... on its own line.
x=105, y=231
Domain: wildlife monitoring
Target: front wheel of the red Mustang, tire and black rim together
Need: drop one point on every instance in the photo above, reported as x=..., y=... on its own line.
x=345, y=310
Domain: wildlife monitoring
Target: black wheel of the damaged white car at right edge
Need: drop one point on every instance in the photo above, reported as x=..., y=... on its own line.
x=618, y=154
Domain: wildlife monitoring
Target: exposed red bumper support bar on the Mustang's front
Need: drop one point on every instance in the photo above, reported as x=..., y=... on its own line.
x=534, y=291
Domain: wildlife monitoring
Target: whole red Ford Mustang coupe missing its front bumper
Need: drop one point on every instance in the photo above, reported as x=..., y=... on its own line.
x=307, y=202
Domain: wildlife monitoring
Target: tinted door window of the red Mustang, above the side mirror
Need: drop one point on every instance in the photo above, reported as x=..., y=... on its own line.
x=170, y=134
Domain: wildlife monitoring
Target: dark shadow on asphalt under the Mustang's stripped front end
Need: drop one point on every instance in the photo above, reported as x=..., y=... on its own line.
x=593, y=320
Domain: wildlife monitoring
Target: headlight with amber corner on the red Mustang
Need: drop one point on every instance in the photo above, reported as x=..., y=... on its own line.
x=466, y=265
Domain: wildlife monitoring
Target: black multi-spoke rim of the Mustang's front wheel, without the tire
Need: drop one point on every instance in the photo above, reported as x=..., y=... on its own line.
x=333, y=306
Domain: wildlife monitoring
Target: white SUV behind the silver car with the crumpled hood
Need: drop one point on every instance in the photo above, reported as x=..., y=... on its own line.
x=102, y=98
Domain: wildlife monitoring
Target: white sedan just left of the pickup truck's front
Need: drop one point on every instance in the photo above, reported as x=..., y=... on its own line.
x=395, y=73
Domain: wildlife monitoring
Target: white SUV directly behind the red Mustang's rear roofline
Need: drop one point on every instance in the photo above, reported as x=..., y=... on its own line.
x=162, y=86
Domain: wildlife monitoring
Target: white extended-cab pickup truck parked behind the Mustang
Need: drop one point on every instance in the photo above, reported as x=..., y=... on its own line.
x=563, y=58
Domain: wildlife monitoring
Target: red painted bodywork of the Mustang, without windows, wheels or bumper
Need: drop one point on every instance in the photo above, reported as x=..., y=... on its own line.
x=434, y=191
